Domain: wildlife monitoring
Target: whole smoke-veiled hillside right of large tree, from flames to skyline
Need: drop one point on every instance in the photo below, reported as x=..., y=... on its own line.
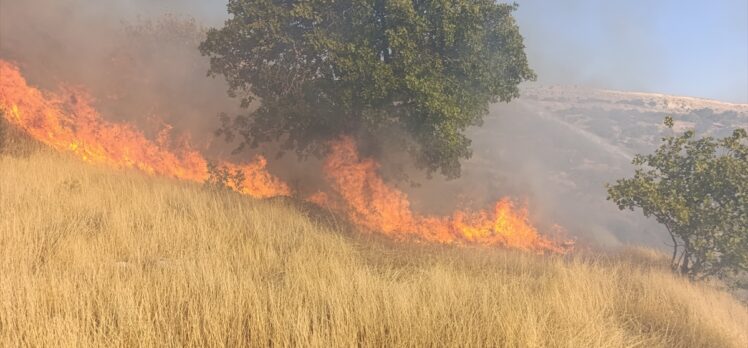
x=557, y=147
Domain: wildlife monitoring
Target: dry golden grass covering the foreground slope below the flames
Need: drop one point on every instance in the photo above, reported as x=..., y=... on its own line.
x=93, y=257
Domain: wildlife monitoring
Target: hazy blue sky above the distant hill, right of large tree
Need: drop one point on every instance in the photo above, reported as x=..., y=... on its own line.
x=692, y=48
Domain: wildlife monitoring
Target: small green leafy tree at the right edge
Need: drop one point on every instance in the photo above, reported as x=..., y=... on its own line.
x=698, y=189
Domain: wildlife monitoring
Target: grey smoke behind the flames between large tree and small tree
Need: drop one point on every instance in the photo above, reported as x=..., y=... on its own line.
x=525, y=153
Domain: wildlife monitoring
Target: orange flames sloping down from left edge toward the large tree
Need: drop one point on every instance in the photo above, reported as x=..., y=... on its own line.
x=66, y=121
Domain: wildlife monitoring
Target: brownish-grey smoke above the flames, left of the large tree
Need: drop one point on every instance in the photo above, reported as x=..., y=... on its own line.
x=139, y=58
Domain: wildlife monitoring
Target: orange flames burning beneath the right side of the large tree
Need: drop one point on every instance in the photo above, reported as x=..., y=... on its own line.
x=371, y=203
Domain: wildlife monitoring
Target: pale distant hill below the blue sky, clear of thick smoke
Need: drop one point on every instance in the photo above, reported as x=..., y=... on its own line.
x=630, y=121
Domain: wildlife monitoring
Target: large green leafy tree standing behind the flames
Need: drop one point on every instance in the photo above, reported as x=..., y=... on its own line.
x=420, y=70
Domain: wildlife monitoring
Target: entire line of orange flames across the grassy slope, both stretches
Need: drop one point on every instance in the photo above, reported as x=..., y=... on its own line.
x=67, y=122
